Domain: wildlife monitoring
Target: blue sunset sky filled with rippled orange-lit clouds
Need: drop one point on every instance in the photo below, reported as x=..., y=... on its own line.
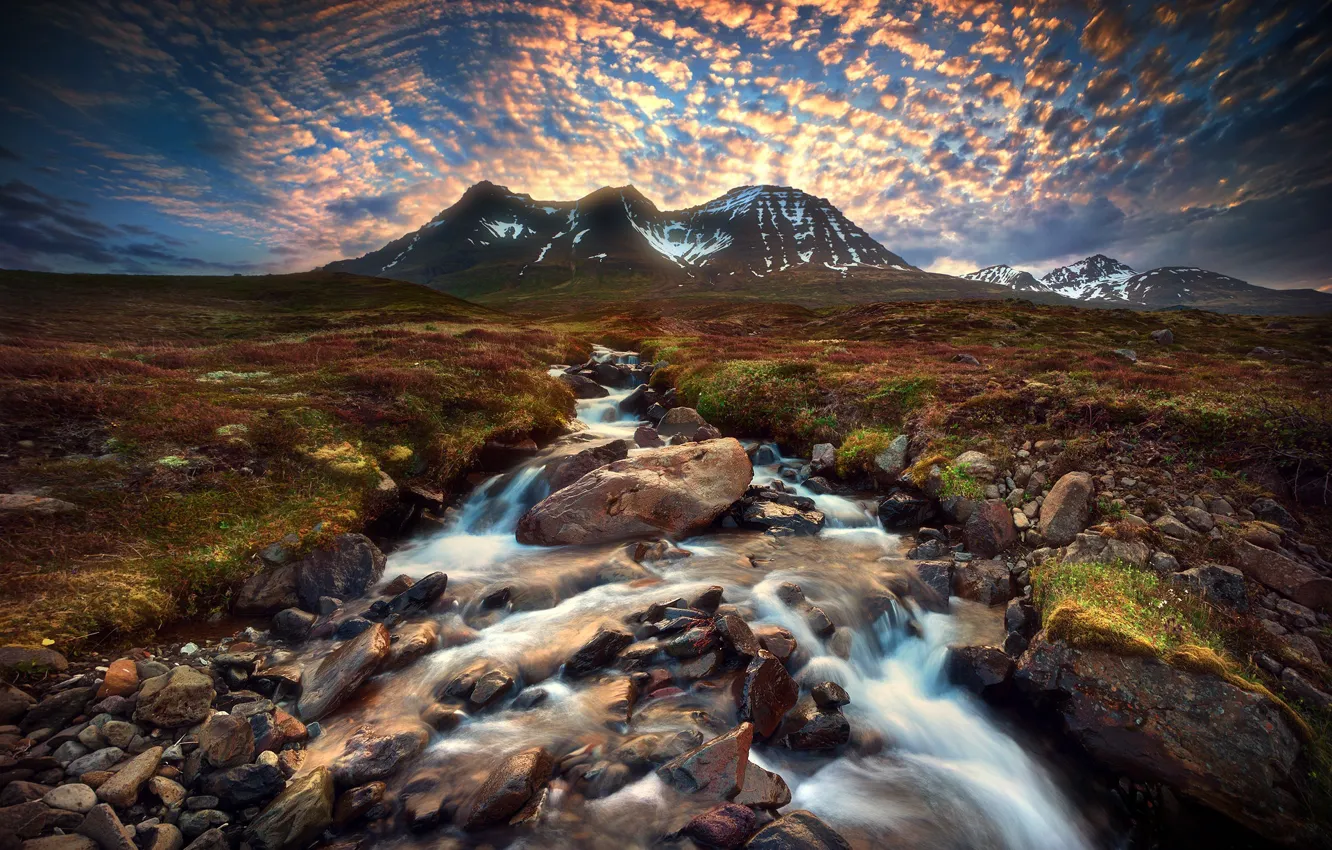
x=223, y=137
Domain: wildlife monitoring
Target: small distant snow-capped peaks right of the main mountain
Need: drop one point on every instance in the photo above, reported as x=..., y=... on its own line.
x=1105, y=279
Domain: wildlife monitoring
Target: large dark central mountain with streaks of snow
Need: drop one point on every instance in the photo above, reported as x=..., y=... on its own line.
x=749, y=231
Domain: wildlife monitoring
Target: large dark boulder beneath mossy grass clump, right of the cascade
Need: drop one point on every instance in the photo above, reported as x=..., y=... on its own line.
x=1221, y=745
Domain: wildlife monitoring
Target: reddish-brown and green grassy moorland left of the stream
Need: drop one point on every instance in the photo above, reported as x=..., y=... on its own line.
x=196, y=420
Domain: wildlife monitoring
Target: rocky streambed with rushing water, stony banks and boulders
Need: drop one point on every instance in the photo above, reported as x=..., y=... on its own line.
x=651, y=635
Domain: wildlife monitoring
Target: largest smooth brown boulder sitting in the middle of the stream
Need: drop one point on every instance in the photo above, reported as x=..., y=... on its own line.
x=669, y=492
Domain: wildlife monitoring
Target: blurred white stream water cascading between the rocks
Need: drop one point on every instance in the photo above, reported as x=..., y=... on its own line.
x=928, y=767
